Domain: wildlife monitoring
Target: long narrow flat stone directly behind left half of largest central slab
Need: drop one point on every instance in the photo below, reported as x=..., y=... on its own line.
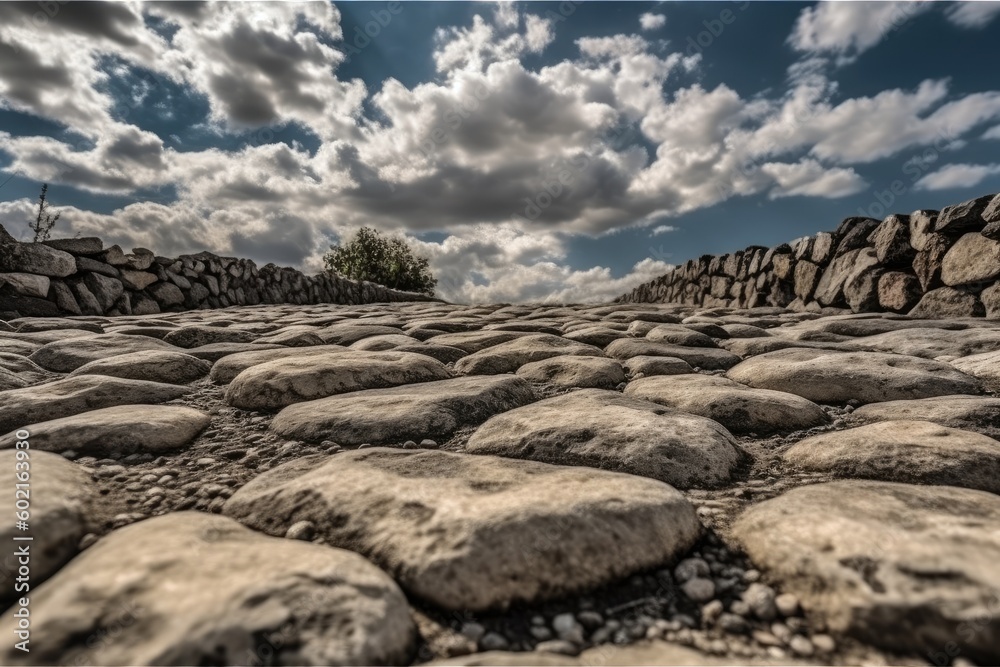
x=409, y=412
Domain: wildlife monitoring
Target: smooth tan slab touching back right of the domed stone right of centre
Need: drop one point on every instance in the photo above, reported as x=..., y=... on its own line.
x=736, y=406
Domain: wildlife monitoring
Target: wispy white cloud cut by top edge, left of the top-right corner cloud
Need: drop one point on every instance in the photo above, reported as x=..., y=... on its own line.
x=847, y=29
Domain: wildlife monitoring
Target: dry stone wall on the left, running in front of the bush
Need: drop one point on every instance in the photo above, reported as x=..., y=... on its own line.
x=81, y=277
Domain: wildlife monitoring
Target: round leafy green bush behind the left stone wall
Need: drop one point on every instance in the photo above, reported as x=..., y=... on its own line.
x=386, y=261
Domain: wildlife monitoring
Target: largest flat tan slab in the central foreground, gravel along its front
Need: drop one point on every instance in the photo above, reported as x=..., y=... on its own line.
x=476, y=532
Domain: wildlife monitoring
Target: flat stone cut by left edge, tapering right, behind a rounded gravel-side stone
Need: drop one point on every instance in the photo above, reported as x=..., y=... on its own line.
x=74, y=395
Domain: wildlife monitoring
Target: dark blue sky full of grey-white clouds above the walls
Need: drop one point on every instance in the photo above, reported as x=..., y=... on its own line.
x=534, y=151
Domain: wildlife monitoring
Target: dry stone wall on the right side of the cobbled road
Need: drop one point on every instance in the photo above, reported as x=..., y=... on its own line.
x=927, y=264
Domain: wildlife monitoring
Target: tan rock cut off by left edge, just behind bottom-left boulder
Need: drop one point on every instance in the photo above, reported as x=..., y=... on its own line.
x=61, y=497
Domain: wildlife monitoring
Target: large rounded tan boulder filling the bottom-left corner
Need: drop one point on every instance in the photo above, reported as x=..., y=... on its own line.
x=191, y=588
